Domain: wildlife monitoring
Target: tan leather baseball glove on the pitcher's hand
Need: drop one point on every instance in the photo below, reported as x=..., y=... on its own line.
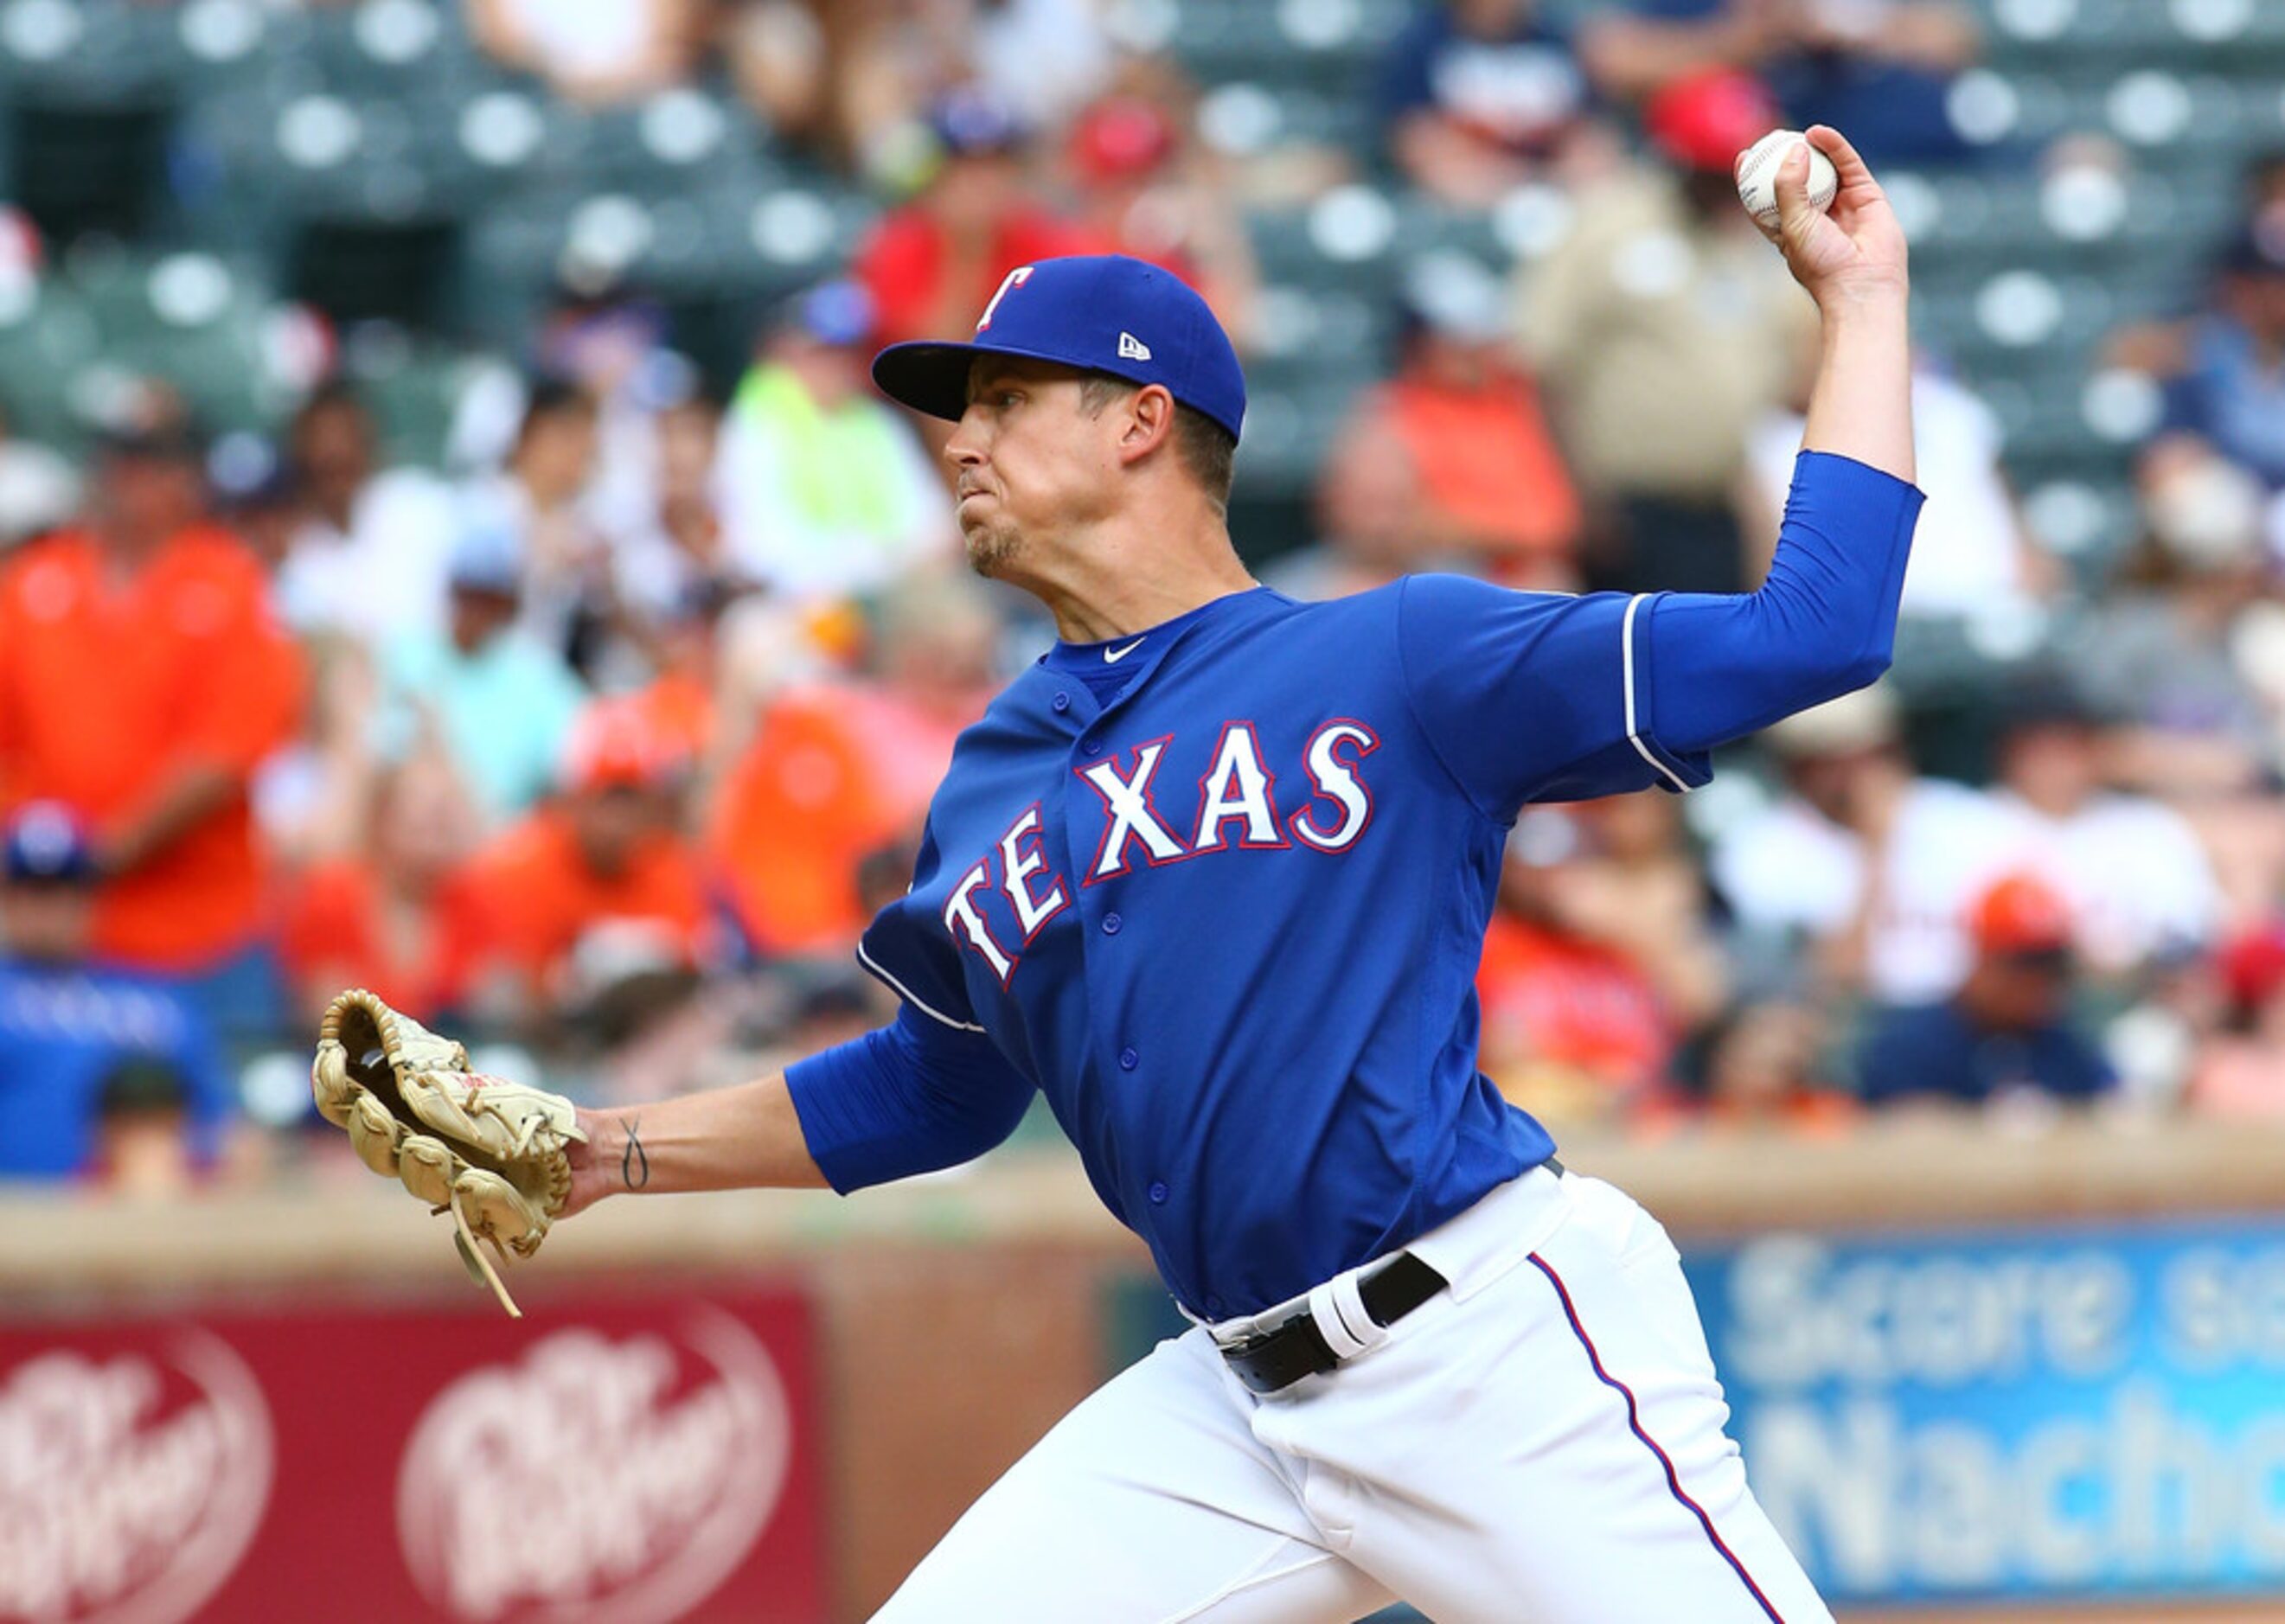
x=483, y=1150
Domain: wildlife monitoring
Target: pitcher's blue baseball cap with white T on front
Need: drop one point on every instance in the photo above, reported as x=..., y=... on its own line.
x=1091, y=312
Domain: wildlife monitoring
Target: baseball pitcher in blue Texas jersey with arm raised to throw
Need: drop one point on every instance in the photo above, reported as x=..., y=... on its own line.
x=1214, y=878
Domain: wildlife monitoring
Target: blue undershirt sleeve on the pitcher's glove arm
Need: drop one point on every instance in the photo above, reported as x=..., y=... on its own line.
x=904, y=1100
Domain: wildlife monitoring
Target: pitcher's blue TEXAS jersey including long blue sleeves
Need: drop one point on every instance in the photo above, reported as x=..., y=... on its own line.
x=1219, y=890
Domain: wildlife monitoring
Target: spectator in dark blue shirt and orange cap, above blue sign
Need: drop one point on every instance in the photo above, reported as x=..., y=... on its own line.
x=2007, y=1029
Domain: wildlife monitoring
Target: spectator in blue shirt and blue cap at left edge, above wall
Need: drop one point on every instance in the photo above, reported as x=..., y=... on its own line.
x=102, y=1072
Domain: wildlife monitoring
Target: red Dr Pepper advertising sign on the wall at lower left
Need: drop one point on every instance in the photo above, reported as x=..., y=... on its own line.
x=625, y=1461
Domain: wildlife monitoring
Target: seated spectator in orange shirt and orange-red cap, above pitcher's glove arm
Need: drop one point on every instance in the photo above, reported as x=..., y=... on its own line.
x=598, y=897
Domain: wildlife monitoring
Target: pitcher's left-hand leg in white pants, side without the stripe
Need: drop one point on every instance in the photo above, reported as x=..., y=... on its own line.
x=1146, y=1506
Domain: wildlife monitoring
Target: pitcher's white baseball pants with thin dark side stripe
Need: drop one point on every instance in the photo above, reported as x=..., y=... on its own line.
x=1539, y=1445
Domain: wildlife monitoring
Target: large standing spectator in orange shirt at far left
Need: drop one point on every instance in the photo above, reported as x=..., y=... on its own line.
x=143, y=682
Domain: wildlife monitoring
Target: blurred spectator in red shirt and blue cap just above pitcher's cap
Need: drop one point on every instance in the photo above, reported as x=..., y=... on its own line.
x=933, y=264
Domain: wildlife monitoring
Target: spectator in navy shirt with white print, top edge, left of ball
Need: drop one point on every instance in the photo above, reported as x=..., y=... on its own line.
x=1477, y=97
